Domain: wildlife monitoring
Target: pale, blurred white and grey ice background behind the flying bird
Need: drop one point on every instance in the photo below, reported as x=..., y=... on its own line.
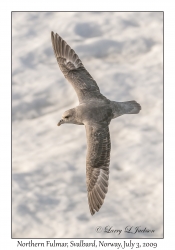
x=123, y=51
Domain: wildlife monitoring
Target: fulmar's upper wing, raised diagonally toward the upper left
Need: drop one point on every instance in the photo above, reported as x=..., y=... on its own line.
x=74, y=71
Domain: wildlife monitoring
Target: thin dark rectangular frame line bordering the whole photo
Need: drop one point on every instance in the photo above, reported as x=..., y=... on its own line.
x=163, y=132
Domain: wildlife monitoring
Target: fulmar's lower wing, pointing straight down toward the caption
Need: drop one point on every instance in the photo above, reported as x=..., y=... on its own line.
x=97, y=164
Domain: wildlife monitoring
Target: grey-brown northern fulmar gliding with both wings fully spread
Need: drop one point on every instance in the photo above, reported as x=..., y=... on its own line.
x=94, y=111
